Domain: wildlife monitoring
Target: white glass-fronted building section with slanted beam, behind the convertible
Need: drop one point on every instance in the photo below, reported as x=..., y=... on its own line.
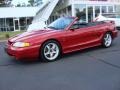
x=88, y=9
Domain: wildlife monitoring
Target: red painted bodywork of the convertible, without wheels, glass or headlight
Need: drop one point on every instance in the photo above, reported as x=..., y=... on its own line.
x=70, y=40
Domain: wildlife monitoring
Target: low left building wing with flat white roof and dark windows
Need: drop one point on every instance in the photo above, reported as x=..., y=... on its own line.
x=16, y=18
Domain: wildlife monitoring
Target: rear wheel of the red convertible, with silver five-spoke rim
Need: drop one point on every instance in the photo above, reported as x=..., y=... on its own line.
x=107, y=40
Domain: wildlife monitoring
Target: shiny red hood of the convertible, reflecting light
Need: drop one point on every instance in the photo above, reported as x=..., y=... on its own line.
x=30, y=35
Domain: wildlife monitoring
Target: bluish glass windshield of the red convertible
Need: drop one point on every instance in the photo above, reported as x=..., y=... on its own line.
x=61, y=23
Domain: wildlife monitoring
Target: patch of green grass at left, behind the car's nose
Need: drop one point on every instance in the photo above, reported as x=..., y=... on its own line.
x=6, y=35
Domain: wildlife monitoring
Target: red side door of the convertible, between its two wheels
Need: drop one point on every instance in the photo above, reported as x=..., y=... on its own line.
x=78, y=38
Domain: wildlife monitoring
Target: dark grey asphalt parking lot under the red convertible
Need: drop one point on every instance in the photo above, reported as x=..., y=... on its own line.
x=91, y=69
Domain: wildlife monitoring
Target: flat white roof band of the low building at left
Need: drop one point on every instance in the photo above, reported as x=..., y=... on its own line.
x=10, y=12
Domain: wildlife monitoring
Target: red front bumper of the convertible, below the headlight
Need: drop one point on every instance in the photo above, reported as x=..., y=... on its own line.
x=22, y=53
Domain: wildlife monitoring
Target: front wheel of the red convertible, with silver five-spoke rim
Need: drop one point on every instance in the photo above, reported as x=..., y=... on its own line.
x=50, y=51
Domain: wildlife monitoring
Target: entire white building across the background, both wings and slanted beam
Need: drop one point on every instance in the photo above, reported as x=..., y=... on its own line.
x=18, y=18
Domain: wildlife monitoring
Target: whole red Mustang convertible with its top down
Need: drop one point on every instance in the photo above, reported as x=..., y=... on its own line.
x=64, y=35
